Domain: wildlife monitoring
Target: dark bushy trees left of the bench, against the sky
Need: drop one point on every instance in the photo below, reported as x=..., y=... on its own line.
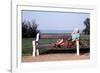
x=29, y=29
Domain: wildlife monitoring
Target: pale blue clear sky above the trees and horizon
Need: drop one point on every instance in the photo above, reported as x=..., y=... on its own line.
x=55, y=20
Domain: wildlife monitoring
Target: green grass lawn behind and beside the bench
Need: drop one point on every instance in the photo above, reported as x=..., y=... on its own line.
x=27, y=43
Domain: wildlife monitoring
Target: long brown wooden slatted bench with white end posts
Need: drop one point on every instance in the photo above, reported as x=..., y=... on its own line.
x=37, y=46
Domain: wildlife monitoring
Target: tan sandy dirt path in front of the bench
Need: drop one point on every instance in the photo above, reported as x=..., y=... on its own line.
x=55, y=57
